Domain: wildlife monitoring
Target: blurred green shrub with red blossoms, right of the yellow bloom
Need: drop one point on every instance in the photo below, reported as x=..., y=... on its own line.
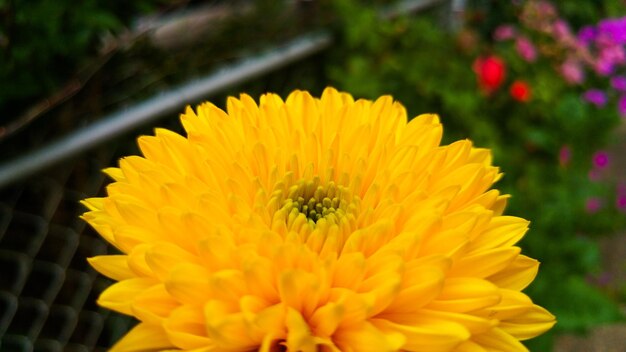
x=543, y=134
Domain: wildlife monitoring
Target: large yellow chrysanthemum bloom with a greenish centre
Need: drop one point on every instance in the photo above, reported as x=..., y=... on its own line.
x=313, y=225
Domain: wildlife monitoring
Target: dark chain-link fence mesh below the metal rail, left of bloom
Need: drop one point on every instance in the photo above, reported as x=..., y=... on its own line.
x=47, y=289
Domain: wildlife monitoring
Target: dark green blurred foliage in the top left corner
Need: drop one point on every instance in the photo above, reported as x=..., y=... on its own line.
x=42, y=42
